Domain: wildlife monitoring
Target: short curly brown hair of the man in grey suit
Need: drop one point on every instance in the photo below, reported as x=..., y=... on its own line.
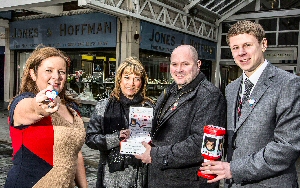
x=248, y=27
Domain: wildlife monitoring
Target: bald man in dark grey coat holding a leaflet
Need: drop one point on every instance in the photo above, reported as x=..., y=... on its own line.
x=181, y=113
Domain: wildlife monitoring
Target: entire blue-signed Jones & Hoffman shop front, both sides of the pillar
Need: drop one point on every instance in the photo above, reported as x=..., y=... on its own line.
x=90, y=40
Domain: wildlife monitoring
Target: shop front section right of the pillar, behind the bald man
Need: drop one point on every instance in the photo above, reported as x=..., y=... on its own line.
x=156, y=45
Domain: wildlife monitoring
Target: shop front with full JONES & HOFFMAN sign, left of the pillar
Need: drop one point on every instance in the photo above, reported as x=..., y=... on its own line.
x=88, y=39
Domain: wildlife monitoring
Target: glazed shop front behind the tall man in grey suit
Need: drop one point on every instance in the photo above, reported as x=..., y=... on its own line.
x=282, y=34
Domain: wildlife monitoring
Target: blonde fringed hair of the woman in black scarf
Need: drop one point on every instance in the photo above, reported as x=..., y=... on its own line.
x=130, y=65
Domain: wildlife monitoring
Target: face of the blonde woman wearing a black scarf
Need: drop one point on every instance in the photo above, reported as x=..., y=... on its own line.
x=130, y=84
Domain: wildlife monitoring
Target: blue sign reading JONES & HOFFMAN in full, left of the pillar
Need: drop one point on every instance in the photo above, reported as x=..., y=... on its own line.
x=78, y=31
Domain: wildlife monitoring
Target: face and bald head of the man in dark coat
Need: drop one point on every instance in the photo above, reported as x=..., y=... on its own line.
x=184, y=66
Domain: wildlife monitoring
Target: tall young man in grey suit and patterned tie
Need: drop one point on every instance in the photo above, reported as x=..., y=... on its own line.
x=263, y=125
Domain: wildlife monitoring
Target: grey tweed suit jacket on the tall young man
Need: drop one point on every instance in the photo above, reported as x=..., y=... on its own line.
x=265, y=143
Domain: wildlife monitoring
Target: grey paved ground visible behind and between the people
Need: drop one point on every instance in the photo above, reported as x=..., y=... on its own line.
x=91, y=157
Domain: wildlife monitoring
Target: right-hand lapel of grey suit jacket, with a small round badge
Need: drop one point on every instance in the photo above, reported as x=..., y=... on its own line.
x=260, y=88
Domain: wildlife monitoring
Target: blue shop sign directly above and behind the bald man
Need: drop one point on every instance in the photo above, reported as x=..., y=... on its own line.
x=161, y=39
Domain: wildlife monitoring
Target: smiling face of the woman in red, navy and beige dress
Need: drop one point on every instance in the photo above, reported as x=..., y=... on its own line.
x=52, y=71
